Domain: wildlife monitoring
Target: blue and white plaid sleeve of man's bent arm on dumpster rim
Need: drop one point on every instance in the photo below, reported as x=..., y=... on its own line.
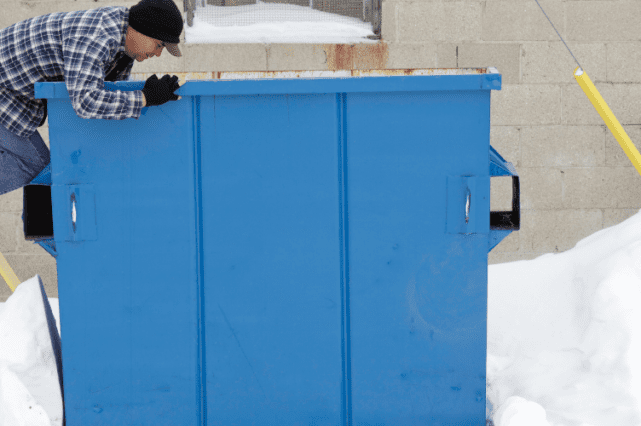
x=83, y=58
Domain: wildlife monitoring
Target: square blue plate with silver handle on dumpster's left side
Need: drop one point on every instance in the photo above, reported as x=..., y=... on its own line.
x=78, y=211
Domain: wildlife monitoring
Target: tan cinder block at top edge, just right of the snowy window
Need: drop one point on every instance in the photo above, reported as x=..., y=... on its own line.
x=431, y=21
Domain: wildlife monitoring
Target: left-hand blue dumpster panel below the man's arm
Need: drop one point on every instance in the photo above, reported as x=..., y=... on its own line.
x=128, y=288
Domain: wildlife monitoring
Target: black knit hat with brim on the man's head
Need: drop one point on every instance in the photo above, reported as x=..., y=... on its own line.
x=159, y=19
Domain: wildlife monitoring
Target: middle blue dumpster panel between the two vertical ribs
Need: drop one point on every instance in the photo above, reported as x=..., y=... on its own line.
x=272, y=259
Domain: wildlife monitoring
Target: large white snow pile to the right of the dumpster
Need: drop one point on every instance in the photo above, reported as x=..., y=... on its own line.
x=564, y=344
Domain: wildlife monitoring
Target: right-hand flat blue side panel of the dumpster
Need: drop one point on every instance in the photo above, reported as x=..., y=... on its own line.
x=417, y=293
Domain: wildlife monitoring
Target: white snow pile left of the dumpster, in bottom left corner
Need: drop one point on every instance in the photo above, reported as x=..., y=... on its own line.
x=29, y=387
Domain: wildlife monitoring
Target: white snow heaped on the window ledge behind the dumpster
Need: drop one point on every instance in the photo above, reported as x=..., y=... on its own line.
x=274, y=23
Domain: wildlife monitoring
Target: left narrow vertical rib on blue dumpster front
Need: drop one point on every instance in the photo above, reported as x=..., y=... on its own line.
x=201, y=374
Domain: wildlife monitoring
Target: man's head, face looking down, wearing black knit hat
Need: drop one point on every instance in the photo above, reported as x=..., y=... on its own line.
x=153, y=25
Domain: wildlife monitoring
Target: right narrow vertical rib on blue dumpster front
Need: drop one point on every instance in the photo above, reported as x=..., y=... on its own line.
x=346, y=385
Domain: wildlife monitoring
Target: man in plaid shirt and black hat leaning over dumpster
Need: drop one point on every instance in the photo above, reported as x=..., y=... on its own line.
x=84, y=49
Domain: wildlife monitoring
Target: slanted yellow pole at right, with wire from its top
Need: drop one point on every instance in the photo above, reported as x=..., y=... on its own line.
x=608, y=116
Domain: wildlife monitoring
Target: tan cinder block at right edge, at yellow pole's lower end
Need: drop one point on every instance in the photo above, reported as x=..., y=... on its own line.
x=601, y=187
